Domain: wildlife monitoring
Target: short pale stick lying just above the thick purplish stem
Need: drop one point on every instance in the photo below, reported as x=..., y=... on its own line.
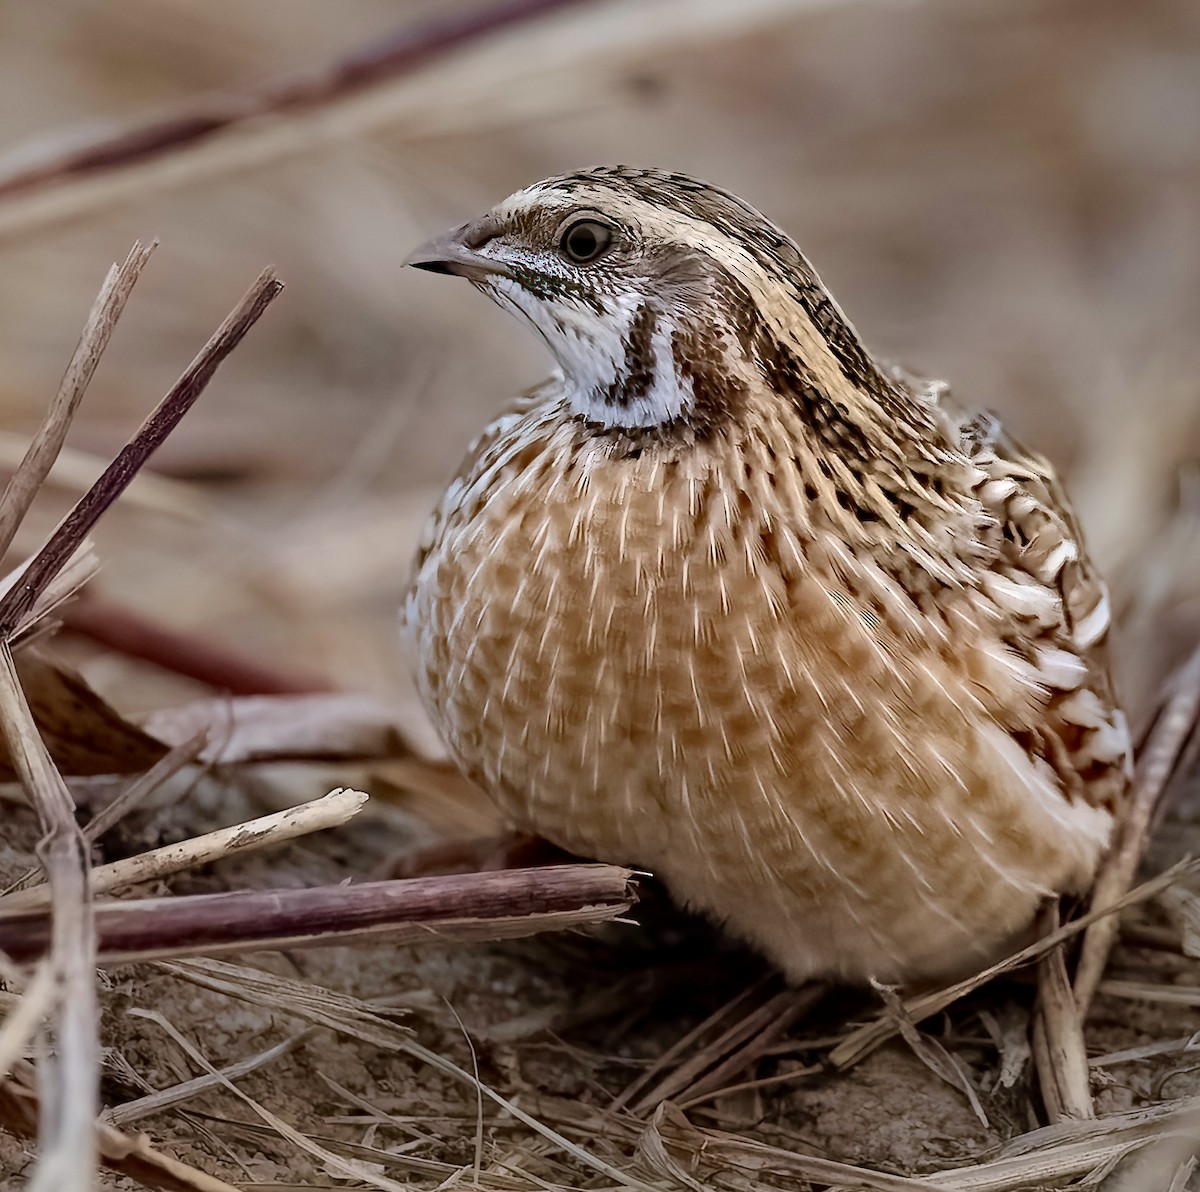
x=332, y=811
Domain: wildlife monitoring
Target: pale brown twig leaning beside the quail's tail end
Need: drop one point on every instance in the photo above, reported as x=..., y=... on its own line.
x=1156, y=765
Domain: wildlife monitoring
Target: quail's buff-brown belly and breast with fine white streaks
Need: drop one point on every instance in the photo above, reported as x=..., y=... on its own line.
x=751, y=741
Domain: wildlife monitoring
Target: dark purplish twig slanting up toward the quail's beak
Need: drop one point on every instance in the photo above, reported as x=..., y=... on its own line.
x=165, y=418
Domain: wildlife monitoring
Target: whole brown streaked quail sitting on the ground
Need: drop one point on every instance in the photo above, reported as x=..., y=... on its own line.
x=728, y=601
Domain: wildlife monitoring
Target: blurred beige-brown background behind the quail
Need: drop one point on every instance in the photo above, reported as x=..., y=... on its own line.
x=1004, y=194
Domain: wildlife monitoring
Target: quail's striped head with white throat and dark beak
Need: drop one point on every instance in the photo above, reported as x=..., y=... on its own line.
x=663, y=300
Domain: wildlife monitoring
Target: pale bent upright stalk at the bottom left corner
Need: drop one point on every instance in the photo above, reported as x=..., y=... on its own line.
x=69, y=1081
